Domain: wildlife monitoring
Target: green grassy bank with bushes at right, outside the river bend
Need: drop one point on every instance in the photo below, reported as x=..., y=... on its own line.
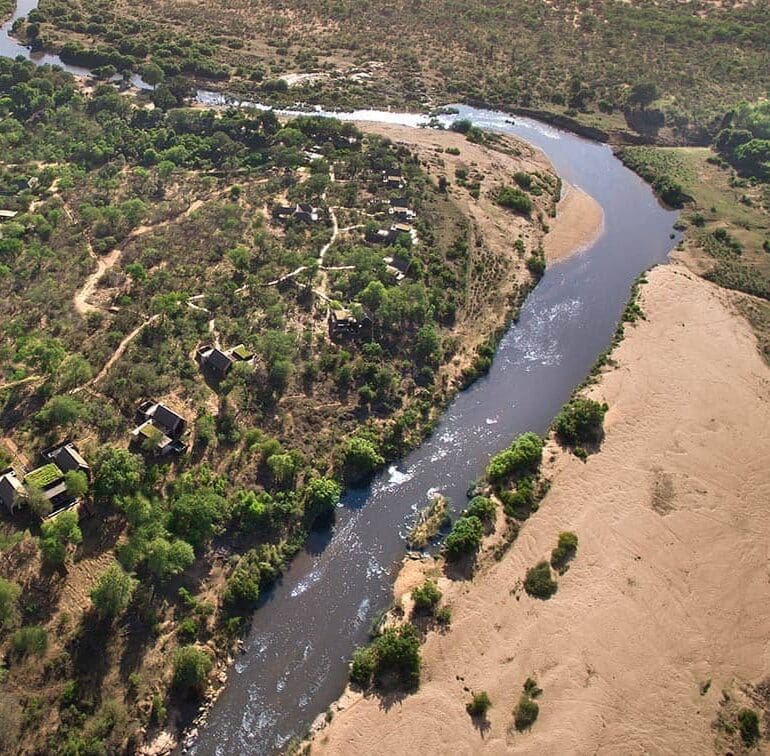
x=724, y=191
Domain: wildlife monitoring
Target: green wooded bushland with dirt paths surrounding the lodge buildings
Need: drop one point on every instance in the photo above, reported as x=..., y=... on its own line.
x=114, y=623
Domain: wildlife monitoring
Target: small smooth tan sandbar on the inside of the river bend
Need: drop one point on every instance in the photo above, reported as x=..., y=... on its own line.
x=579, y=221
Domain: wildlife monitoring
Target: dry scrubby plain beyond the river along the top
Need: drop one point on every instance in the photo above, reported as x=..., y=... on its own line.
x=579, y=58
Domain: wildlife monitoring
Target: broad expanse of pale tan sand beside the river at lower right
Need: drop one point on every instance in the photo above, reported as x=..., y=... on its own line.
x=670, y=585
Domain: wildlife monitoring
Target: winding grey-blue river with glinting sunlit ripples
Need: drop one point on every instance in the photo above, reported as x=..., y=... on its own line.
x=295, y=659
